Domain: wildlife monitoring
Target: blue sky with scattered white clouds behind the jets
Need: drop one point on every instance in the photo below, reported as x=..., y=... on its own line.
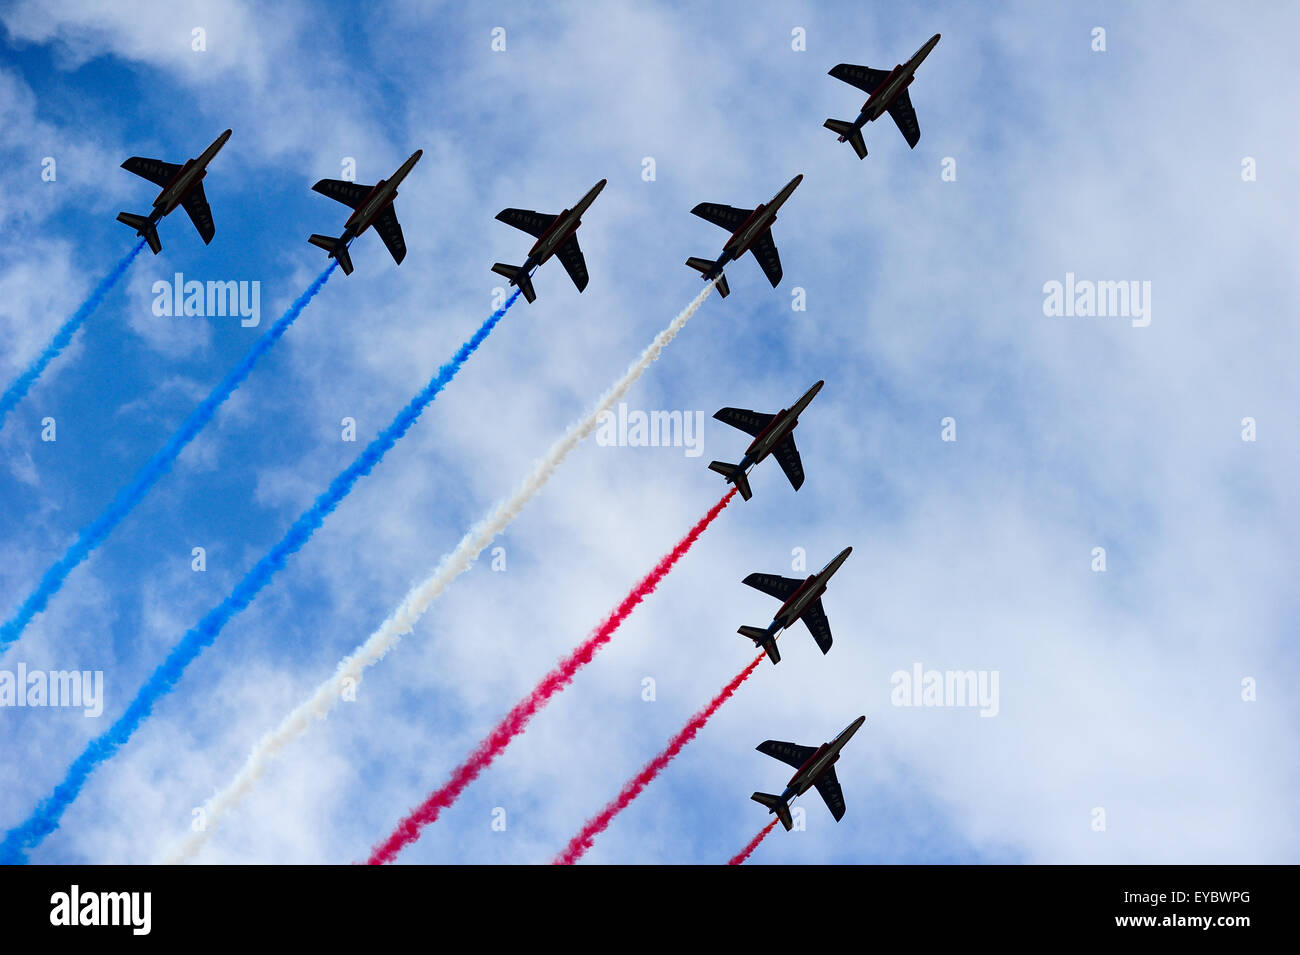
x=925, y=301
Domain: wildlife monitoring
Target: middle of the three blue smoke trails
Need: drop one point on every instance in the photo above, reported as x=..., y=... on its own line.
x=93, y=535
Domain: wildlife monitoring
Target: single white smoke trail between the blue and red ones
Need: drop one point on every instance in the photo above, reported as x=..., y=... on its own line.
x=417, y=602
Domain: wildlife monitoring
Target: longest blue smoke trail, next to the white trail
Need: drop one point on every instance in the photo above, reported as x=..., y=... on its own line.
x=45, y=819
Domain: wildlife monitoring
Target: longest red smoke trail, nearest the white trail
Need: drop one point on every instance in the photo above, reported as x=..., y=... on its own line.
x=518, y=719
